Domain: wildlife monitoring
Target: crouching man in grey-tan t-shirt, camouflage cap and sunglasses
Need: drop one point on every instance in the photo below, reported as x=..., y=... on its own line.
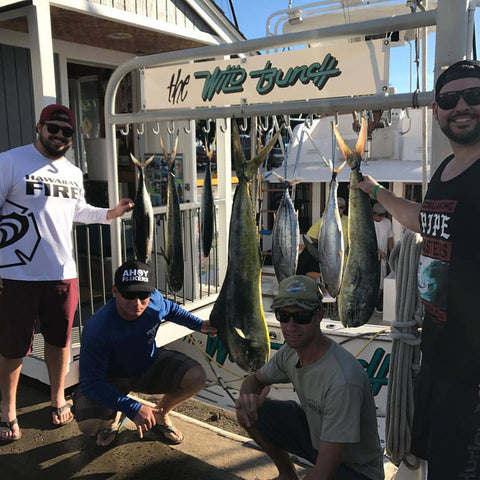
x=335, y=425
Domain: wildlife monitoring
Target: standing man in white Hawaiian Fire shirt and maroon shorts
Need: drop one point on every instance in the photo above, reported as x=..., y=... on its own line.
x=41, y=195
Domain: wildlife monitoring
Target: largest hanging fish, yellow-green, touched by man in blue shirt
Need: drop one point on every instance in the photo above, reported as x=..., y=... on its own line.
x=238, y=312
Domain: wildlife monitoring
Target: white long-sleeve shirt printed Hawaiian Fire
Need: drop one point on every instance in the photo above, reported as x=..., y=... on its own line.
x=39, y=201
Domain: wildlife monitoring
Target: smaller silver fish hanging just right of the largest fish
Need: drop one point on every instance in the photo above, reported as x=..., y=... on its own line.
x=285, y=235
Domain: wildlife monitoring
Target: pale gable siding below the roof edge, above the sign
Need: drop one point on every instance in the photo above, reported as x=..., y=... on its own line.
x=176, y=12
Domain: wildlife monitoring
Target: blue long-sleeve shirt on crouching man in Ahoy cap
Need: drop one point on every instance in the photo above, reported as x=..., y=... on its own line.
x=114, y=347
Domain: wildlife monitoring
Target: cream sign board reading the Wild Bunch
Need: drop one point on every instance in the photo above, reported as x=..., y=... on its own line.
x=329, y=71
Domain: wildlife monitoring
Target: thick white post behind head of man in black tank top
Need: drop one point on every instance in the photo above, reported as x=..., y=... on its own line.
x=450, y=47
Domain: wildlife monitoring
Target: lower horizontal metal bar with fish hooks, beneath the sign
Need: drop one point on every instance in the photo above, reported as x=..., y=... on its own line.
x=322, y=105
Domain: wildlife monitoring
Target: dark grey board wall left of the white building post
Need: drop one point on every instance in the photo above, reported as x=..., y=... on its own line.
x=17, y=114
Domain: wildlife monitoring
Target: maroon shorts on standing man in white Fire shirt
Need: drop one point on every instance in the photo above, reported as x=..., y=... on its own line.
x=22, y=304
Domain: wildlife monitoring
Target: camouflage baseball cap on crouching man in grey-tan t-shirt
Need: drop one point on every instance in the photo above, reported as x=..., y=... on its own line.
x=298, y=291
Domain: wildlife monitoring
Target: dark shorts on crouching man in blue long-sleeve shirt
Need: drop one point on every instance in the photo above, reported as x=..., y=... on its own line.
x=164, y=376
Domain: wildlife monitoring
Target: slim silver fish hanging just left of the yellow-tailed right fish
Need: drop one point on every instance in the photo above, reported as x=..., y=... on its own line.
x=330, y=239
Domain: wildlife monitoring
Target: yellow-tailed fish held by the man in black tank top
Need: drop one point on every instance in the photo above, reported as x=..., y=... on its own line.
x=359, y=291
